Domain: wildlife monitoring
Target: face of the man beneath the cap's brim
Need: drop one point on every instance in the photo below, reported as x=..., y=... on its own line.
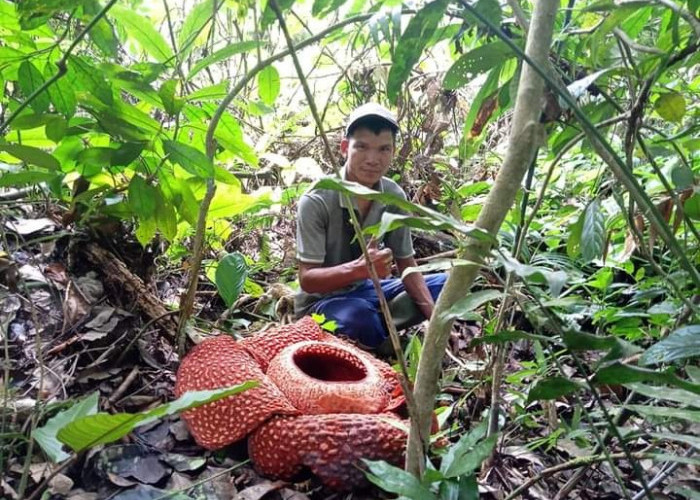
x=368, y=155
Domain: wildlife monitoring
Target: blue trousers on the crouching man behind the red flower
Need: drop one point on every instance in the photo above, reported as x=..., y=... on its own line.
x=357, y=313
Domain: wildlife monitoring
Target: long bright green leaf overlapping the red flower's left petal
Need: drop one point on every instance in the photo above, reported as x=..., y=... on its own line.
x=105, y=428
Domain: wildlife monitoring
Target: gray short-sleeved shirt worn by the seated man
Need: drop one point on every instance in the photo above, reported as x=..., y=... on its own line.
x=325, y=234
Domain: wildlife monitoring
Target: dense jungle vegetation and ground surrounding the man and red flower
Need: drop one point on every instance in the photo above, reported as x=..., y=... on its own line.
x=151, y=156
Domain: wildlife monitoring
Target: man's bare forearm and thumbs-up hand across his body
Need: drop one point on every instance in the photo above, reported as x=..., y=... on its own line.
x=313, y=278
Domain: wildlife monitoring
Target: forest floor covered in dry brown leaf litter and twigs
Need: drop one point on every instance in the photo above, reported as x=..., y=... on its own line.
x=88, y=311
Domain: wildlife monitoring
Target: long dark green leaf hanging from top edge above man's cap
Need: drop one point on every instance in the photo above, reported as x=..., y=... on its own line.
x=410, y=46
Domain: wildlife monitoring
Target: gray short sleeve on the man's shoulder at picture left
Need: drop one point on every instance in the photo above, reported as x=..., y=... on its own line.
x=312, y=221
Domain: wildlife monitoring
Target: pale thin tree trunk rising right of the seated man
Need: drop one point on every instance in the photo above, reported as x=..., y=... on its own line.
x=526, y=134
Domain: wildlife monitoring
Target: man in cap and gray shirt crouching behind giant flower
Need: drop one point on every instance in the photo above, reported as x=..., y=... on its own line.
x=333, y=274
